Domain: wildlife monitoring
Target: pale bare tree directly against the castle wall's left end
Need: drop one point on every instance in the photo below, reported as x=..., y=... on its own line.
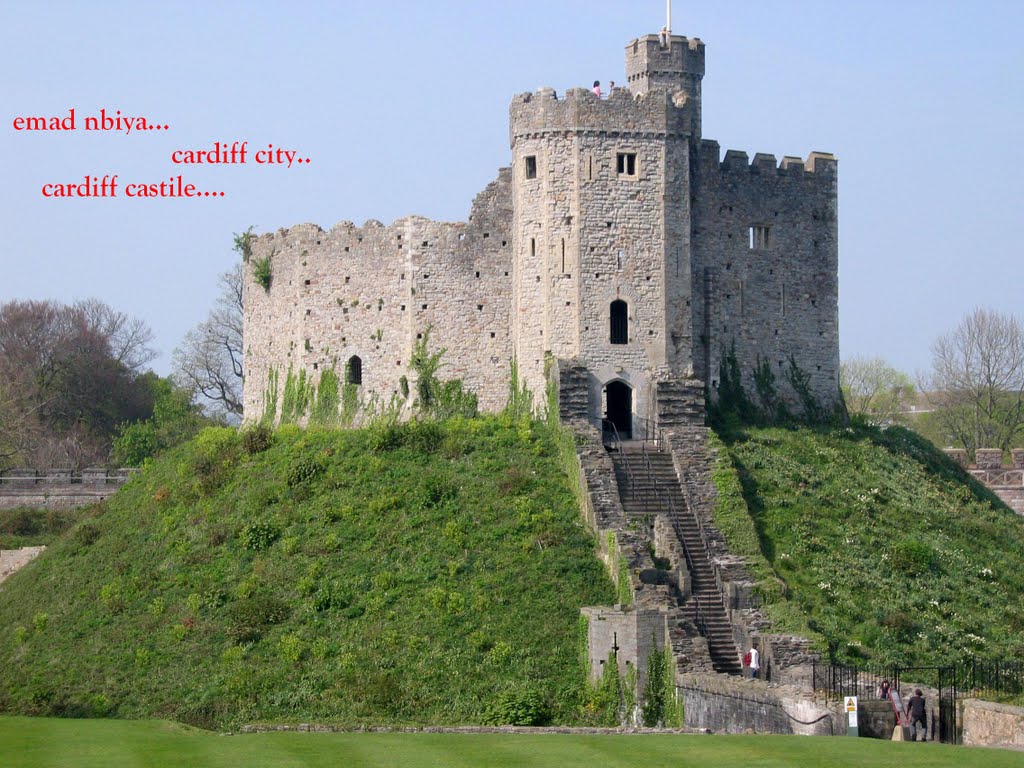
x=210, y=358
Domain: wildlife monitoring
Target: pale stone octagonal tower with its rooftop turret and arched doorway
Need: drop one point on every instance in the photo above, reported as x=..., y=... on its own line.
x=602, y=227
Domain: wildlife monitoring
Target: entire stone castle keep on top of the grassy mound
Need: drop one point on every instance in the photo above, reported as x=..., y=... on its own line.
x=619, y=242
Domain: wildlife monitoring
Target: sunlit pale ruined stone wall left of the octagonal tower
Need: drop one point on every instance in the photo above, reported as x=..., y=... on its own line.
x=372, y=291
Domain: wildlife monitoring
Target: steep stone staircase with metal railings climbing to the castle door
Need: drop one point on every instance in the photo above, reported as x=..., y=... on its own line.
x=649, y=487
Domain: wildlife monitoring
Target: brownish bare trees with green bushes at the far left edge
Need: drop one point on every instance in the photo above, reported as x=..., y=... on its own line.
x=73, y=379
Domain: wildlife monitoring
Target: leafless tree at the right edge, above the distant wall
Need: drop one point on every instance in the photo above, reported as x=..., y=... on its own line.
x=978, y=380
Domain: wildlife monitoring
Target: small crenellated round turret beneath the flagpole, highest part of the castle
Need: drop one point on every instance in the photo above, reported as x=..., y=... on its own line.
x=673, y=64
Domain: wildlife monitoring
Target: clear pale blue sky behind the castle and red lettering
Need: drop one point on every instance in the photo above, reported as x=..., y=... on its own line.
x=402, y=108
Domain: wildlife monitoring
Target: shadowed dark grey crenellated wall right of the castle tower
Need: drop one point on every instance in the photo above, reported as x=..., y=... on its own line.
x=777, y=300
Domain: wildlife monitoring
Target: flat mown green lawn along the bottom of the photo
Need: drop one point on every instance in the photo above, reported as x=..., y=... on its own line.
x=108, y=744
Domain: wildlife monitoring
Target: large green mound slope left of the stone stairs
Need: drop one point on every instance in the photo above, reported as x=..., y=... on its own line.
x=418, y=574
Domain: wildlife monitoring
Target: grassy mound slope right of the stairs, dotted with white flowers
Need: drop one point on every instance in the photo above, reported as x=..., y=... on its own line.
x=877, y=542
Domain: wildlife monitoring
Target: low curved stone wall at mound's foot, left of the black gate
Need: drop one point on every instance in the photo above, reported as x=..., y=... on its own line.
x=728, y=705
